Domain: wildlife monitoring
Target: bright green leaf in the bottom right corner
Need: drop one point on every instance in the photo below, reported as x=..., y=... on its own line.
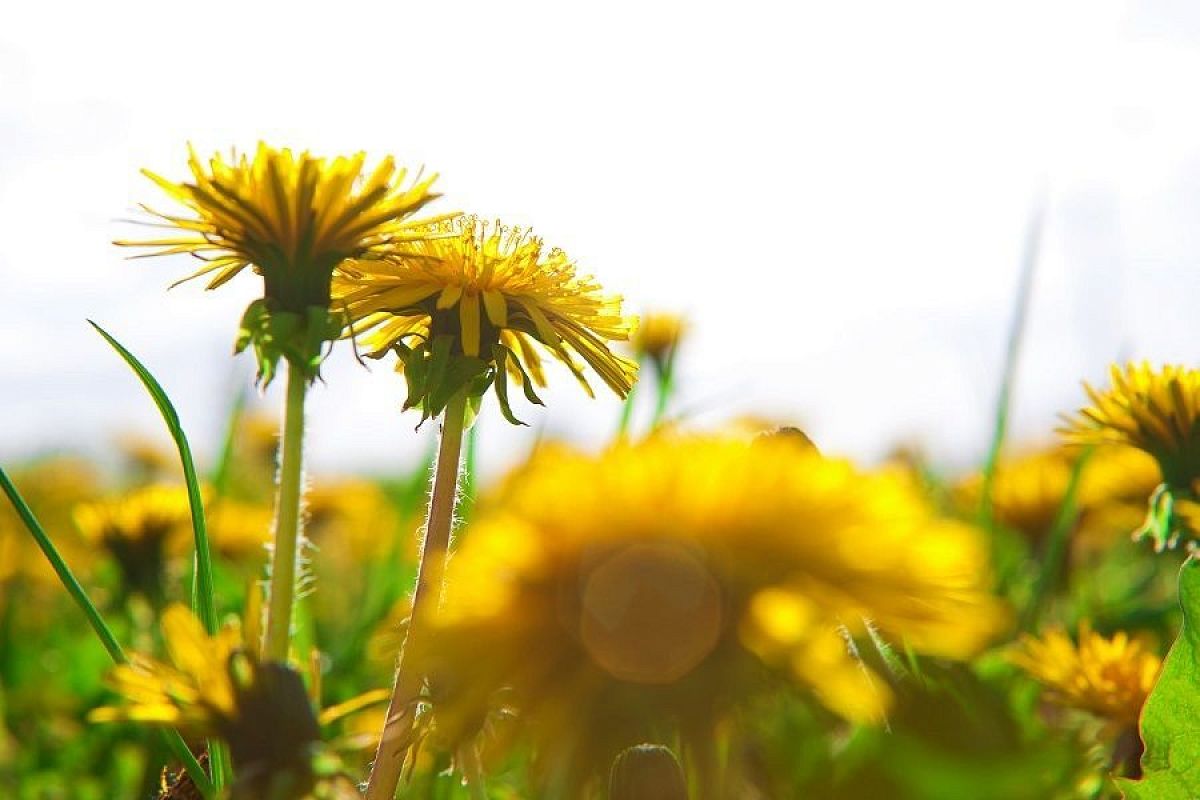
x=1171, y=721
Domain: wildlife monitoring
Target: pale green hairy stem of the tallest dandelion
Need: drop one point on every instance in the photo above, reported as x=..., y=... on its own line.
x=287, y=522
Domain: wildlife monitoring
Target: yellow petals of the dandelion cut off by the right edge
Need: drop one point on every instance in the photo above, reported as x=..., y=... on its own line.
x=1154, y=410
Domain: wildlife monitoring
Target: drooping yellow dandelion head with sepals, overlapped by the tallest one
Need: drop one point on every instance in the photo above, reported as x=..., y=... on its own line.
x=469, y=306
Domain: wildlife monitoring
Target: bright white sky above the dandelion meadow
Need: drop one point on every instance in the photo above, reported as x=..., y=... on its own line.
x=837, y=194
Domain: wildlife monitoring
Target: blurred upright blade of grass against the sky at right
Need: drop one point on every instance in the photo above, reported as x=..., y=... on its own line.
x=1012, y=357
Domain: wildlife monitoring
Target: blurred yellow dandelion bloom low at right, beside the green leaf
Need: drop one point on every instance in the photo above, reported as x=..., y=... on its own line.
x=1111, y=678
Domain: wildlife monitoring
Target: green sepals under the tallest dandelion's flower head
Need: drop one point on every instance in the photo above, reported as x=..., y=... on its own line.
x=299, y=339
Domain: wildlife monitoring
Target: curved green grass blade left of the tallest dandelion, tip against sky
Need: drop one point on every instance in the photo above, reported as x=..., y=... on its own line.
x=203, y=594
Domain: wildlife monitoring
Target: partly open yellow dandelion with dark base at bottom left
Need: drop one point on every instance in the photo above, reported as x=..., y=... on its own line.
x=214, y=688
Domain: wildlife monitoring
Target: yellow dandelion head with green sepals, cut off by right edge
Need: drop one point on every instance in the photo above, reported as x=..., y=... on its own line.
x=1157, y=412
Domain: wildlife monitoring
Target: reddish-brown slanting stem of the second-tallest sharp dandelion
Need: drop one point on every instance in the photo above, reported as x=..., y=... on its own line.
x=401, y=711
